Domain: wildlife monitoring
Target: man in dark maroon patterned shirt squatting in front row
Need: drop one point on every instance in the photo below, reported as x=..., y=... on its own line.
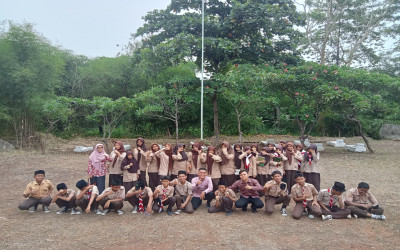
x=249, y=189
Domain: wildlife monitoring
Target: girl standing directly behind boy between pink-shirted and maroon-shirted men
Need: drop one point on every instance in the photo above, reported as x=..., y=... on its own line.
x=228, y=168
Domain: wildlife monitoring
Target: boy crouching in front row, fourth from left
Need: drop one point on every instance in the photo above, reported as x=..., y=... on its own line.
x=112, y=197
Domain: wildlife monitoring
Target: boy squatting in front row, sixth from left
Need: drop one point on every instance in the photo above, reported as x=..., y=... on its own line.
x=163, y=196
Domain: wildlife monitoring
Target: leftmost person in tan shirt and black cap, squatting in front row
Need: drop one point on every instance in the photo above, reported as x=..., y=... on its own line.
x=37, y=192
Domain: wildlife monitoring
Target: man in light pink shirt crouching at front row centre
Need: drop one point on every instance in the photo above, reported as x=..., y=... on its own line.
x=202, y=189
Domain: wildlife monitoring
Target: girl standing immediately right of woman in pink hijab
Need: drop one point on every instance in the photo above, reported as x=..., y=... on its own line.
x=114, y=167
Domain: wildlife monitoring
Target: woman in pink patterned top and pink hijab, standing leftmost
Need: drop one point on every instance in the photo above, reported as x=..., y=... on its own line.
x=97, y=169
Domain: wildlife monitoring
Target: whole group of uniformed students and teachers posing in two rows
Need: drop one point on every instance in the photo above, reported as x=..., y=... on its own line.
x=279, y=172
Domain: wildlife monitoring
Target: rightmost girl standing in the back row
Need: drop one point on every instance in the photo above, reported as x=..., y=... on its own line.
x=310, y=166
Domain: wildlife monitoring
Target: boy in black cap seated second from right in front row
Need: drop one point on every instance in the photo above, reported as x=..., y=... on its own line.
x=331, y=202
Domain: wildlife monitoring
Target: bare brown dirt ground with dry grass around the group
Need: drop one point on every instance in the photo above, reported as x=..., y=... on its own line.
x=22, y=230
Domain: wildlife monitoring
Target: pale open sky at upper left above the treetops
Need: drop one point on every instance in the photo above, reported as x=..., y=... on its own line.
x=88, y=27
